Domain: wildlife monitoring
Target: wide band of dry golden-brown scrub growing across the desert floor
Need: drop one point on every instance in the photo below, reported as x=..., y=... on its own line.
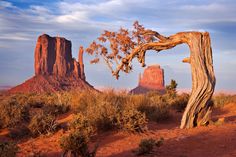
x=94, y=112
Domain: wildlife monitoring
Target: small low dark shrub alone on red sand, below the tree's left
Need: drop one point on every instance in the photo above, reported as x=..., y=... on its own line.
x=146, y=146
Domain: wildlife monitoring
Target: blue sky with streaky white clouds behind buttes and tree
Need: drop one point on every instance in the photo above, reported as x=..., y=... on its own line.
x=82, y=21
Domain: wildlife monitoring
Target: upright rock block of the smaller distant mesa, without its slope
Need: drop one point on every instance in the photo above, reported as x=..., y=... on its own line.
x=153, y=78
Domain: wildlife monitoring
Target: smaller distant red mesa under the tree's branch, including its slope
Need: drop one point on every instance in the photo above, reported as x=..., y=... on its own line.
x=151, y=80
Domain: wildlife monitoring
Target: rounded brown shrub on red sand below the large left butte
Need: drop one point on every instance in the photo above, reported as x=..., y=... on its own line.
x=42, y=123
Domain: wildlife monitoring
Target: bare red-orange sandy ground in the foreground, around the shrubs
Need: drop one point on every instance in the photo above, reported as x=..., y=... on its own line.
x=211, y=141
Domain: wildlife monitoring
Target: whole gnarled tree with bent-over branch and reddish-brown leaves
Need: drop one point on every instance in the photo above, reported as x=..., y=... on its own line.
x=126, y=45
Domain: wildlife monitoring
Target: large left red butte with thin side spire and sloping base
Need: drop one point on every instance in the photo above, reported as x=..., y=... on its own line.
x=55, y=69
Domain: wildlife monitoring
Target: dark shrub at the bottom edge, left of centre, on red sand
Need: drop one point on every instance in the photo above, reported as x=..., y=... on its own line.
x=76, y=144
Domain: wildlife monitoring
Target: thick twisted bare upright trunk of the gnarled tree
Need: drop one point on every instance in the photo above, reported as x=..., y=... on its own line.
x=198, y=109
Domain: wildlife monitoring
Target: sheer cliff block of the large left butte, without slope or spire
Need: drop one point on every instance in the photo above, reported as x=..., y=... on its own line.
x=53, y=57
